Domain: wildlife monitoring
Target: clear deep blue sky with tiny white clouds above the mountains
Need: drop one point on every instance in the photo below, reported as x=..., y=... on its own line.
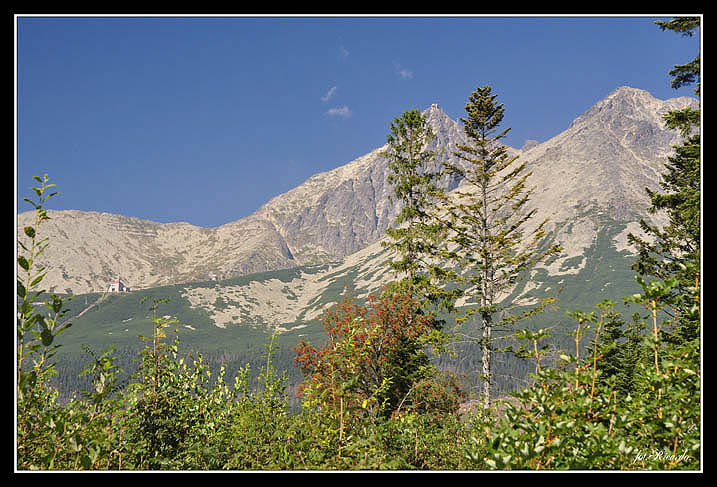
x=203, y=119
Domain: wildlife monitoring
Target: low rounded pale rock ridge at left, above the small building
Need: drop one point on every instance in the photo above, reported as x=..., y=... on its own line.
x=89, y=249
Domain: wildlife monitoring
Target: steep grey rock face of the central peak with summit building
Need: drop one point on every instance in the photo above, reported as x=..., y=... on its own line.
x=339, y=212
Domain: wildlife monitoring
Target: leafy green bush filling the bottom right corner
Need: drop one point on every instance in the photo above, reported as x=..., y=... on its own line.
x=573, y=419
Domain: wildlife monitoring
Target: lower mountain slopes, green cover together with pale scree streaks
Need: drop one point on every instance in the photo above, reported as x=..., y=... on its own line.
x=235, y=320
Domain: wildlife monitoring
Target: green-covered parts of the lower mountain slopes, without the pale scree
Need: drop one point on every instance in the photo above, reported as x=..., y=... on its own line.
x=119, y=319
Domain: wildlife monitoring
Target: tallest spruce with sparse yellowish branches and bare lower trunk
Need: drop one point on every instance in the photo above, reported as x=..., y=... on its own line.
x=490, y=244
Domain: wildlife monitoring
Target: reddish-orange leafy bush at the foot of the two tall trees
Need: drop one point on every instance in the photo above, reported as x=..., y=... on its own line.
x=373, y=362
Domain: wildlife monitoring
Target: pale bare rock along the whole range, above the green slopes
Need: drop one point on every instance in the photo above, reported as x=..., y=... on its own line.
x=604, y=160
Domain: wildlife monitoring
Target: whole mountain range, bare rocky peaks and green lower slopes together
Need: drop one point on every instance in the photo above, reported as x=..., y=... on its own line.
x=279, y=268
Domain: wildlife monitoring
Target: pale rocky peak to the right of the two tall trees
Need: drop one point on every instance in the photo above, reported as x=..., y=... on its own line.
x=607, y=157
